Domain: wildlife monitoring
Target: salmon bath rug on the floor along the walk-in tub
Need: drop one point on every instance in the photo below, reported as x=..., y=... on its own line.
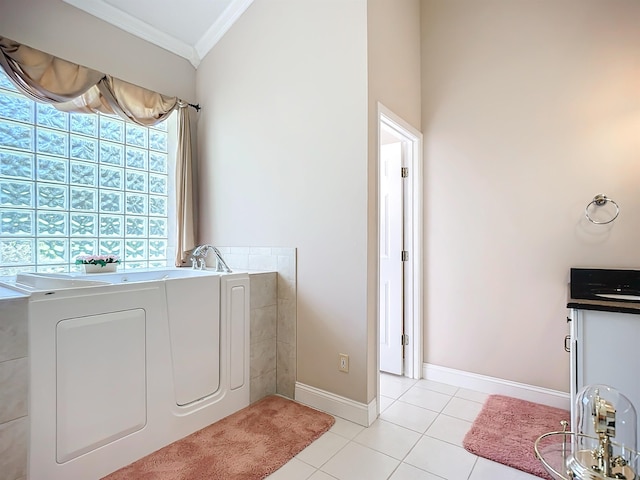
x=248, y=445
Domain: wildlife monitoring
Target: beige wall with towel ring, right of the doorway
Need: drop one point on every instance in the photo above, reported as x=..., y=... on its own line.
x=530, y=108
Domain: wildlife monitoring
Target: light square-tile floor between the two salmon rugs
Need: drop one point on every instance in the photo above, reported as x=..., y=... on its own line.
x=418, y=436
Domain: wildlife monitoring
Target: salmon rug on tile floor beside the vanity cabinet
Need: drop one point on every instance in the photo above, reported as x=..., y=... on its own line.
x=506, y=429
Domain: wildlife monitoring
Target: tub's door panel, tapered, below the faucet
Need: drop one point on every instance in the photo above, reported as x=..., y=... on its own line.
x=193, y=305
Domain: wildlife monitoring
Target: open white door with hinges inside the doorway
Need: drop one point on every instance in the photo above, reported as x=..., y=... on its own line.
x=391, y=267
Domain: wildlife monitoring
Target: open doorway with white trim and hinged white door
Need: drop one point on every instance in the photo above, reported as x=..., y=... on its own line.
x=400, y=246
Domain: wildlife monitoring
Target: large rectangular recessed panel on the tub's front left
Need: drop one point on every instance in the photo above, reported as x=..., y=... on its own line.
x=100, y=380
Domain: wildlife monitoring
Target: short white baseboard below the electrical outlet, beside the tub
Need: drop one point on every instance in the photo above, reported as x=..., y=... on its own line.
x=360, y=413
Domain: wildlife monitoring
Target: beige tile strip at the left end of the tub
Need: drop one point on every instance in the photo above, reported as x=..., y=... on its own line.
x=13, y=388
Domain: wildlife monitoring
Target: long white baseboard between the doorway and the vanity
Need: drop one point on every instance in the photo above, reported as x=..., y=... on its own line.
x=492, y=385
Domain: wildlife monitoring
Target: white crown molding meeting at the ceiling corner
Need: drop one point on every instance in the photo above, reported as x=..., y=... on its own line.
x=143, y=30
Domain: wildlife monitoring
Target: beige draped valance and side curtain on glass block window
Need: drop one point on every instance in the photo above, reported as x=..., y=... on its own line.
x=74, y=88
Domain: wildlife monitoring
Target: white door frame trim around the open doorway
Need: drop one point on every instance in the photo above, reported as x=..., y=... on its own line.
x=412, y=141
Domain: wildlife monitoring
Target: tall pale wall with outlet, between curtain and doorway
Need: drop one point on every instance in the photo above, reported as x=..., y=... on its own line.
x=283, y=142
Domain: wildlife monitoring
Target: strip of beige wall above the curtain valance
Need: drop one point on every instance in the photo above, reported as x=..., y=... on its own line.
x=69, y=33
